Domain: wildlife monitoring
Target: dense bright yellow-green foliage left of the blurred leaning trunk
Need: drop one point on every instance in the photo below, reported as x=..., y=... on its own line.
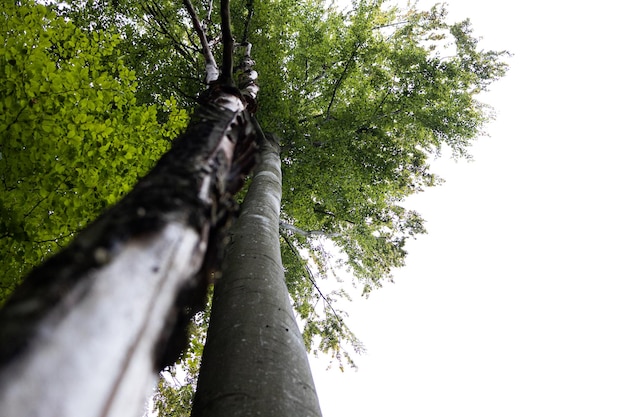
x=73, y=139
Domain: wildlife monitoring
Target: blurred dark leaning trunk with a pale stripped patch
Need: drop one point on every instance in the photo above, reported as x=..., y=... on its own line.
x=88, y=330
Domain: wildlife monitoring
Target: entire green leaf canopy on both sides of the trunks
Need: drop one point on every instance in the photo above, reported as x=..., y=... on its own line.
x=361, y=98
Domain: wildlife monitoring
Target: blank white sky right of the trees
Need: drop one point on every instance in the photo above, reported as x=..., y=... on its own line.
x=514, y=304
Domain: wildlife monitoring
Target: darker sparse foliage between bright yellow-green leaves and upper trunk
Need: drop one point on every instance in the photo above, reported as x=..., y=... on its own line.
x=155, y=40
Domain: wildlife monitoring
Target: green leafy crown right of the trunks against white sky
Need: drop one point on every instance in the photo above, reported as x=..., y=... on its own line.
x=361, y=99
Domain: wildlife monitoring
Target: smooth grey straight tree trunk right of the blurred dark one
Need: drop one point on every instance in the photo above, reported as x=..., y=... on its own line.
x=254, y=361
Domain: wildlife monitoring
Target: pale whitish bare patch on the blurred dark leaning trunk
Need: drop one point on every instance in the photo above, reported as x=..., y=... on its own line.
x=93, y=354
